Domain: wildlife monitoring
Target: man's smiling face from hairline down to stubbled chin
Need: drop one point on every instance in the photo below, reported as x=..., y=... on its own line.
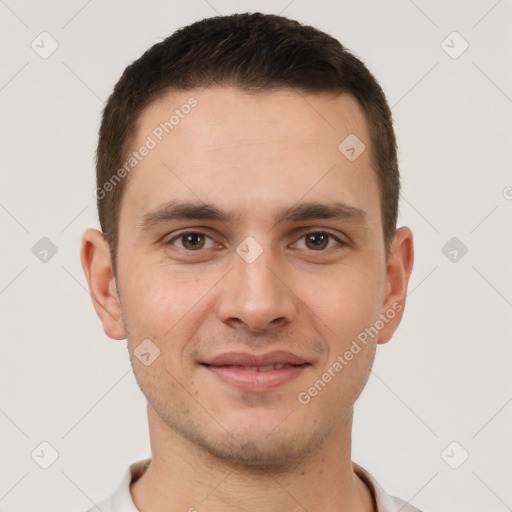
x=252, y=300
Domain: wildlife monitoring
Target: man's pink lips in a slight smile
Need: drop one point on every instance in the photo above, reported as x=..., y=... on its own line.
x=238, y=369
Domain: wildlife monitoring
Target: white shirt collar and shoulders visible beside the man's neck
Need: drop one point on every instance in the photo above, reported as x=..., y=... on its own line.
x=121, y=500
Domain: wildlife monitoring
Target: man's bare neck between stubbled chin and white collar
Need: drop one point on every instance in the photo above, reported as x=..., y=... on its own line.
x=191, y=479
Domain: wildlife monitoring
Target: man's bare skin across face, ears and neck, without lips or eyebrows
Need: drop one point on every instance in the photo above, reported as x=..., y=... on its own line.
x=216, y=447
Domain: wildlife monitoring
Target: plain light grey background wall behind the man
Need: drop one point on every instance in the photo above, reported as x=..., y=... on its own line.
x=445, y=376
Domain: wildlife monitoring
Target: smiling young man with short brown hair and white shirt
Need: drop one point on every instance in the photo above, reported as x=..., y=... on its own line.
x=247, y=186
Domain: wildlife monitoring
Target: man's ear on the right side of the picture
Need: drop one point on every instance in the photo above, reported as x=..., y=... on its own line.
x=399, y=268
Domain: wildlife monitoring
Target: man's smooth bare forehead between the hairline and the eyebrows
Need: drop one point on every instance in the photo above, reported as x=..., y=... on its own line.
x=252, y=152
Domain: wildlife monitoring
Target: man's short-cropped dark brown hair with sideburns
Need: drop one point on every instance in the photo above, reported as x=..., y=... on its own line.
x=254, y=52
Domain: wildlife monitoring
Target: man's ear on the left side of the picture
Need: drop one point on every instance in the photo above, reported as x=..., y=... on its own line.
x=95, y=256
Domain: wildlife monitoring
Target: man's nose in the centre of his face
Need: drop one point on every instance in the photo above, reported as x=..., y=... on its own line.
x=257, y=295
